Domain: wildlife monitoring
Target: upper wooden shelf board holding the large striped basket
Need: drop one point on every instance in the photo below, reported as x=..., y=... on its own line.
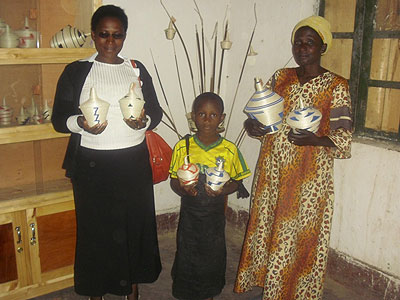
x=29, y=56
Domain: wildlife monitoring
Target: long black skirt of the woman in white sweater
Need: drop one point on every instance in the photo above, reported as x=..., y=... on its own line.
x=116, y=243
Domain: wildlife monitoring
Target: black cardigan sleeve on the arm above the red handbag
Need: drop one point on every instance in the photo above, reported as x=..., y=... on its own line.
x=152, y=106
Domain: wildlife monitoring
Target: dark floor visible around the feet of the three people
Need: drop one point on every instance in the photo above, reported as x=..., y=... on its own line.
x=161, y=289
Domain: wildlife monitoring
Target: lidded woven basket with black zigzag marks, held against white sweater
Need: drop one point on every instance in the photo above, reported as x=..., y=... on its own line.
x=94, y=109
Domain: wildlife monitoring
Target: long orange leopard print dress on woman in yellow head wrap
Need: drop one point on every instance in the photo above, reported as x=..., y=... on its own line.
x=286, y=244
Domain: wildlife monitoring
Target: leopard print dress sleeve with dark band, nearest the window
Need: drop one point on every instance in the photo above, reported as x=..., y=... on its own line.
x=341, y=121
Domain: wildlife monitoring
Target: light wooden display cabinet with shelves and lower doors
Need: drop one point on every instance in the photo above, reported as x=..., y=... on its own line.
x=37, y=218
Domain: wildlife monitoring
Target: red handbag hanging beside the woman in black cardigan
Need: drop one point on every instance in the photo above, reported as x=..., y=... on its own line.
x=160, y=154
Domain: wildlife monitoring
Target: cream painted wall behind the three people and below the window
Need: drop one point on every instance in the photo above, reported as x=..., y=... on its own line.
x=366, y=223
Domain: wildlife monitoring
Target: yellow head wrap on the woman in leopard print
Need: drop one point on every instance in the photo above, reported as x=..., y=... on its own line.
x=320, y=25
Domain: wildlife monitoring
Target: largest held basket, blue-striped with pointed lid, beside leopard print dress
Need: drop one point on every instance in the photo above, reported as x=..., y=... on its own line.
x=266, y=107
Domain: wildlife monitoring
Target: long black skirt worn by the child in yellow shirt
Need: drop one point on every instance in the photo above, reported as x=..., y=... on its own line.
x=200, y=260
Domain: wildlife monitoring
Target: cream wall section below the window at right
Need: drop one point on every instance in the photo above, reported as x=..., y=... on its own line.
x=366, y=222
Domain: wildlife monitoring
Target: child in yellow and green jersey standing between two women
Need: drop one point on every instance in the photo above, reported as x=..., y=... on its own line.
x=200, y=260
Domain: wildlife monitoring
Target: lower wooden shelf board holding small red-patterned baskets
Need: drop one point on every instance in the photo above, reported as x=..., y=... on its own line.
x=26, y=133
